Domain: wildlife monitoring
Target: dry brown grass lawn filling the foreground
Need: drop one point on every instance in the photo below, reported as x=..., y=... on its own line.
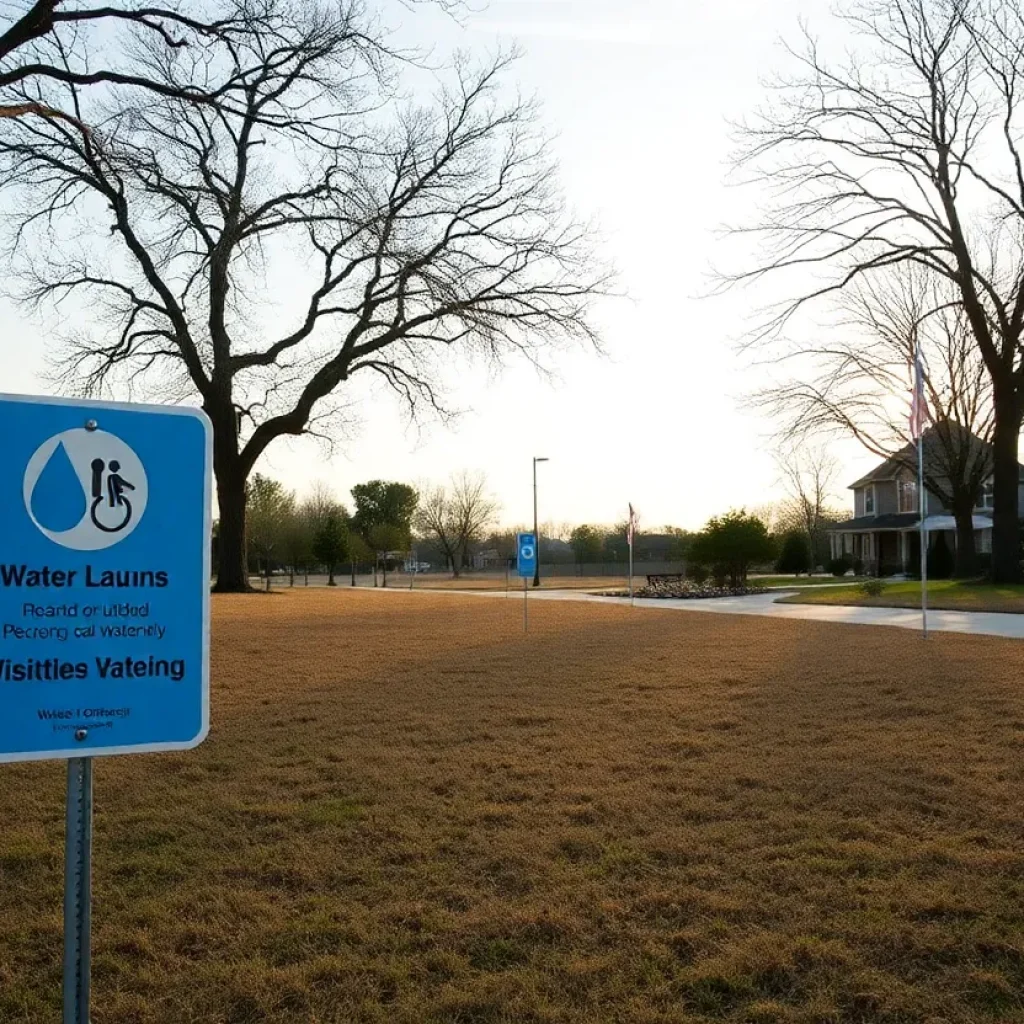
x=409, y=813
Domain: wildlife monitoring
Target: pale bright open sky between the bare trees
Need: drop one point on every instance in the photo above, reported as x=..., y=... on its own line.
x=639, y=96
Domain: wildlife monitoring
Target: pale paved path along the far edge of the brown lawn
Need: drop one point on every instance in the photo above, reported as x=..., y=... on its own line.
x=986, y=623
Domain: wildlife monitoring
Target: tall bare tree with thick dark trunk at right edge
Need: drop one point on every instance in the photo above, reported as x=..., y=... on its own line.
x=907, y=152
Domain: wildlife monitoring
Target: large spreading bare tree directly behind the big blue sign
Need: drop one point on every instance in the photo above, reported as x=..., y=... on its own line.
x=404, y=234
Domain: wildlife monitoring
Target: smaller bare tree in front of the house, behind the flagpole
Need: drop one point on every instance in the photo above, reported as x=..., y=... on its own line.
x=859, y=387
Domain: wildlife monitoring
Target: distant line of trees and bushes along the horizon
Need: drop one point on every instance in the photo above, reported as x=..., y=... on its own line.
x=453, y=528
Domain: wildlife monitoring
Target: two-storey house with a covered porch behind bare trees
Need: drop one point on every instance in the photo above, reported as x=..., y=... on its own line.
x=886, y=521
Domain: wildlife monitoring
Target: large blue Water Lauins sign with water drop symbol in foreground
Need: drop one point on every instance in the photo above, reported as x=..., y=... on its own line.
x=105, y=578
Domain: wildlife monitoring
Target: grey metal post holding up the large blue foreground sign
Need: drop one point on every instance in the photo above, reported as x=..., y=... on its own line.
x=78, y=891
